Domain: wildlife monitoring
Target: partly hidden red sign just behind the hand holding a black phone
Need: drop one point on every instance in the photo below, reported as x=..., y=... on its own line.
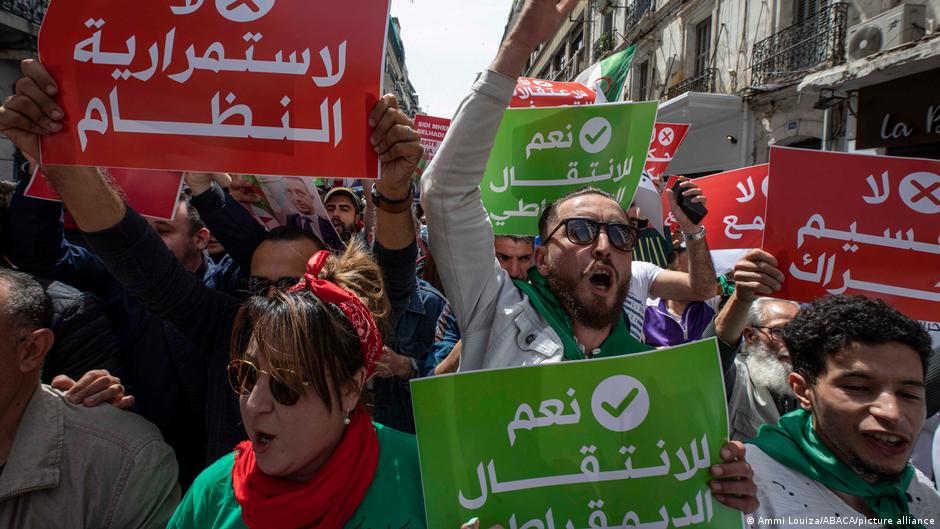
x=736, y=203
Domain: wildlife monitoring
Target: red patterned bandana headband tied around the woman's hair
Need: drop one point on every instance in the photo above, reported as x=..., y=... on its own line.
x=370, y=340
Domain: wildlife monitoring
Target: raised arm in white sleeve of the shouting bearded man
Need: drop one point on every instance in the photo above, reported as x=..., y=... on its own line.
x=459, y=230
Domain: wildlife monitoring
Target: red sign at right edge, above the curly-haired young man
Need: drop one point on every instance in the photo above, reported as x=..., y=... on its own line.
x=856, y=224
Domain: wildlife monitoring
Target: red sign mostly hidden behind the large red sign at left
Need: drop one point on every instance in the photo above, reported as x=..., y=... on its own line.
x=151, y=193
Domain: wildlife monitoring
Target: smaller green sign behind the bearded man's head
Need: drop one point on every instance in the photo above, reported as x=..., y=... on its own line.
x=542, y=153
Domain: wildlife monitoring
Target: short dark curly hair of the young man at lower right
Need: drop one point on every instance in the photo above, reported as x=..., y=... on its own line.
x=829, y=324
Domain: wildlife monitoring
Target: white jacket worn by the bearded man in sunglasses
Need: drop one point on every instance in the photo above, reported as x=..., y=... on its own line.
x=498, y=325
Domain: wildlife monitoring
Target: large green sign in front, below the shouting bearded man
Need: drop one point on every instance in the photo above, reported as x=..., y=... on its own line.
x=603, y=443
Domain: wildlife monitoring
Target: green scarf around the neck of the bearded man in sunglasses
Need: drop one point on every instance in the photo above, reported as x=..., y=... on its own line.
x=619, y=342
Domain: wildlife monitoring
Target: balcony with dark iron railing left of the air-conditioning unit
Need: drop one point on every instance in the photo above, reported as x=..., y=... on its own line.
x=788, y=54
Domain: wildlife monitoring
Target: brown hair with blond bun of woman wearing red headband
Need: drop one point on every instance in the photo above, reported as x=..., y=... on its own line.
x=309, y=337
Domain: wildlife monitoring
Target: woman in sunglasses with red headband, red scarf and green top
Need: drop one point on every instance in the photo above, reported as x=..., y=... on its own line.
x=314, y=459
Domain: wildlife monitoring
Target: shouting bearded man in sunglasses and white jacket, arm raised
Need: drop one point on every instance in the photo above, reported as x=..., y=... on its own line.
x=571, y=308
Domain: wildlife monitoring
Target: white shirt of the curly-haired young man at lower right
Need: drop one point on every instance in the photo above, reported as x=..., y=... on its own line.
x=789, y=499
